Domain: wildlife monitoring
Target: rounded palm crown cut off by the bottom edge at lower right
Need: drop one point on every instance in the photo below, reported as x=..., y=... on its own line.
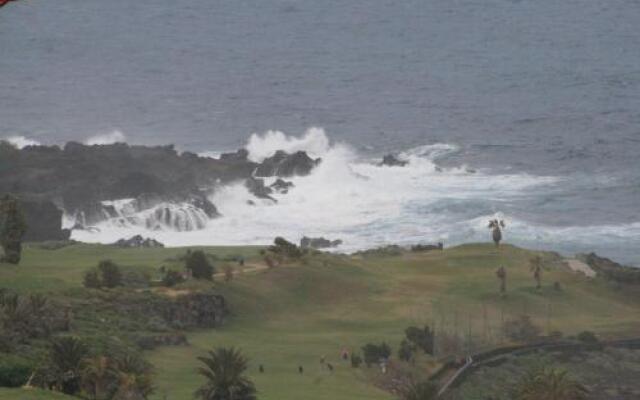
x=549, y=384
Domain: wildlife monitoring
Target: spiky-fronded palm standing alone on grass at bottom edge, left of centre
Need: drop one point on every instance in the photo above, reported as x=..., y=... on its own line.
x=224, y=371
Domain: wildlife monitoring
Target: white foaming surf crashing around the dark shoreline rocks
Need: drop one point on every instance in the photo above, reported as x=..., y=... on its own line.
x=355, y=199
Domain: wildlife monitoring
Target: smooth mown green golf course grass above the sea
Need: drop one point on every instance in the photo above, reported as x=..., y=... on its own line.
x=293, y=315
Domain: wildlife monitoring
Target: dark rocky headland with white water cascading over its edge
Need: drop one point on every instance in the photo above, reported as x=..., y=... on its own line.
x=150, y=187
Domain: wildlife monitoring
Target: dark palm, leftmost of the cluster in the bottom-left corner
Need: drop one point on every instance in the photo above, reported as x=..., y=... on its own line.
x=66, y=357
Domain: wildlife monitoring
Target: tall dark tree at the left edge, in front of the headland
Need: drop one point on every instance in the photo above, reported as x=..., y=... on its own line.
x=13, y=227
